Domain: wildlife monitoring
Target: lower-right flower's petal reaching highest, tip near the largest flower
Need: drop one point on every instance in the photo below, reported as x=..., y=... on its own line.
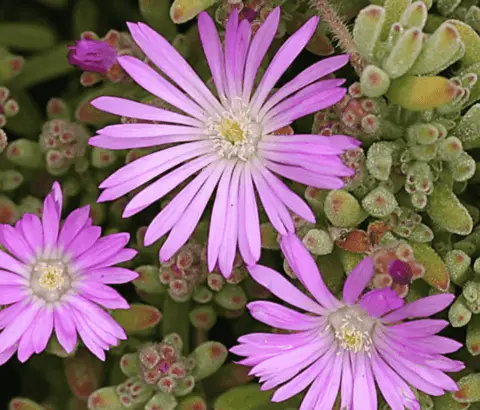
x=307, y=271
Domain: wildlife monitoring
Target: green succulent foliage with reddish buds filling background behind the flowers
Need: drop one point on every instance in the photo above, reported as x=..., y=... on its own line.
x=414, y=102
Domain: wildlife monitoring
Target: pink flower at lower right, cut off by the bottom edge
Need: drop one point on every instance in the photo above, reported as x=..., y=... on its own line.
x=346, y=345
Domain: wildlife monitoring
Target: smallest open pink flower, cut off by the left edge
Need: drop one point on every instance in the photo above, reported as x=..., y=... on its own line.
x=54, y=276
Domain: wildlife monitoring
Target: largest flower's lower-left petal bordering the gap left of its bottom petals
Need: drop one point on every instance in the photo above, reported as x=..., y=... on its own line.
x=183, y=229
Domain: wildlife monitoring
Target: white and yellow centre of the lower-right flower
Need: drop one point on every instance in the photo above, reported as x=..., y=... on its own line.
x=353, y=328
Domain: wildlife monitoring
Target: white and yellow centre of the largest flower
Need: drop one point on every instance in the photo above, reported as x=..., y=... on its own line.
x=235, y=133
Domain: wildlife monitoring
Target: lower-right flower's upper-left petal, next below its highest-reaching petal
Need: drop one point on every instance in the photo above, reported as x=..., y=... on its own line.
x=283, y=289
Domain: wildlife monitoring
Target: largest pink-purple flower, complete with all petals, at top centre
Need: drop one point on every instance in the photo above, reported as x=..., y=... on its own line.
x=228, y=142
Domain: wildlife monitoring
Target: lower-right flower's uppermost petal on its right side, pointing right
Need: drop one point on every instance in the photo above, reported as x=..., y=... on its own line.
x=424, y=307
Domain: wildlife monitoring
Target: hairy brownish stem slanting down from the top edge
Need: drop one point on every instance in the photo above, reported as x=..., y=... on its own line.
x=341, y=33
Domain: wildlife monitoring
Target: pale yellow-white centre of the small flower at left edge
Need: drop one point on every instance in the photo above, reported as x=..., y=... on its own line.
x=50, y=279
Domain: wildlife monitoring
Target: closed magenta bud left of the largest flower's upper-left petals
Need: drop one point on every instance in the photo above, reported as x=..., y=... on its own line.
x=92, y=55
